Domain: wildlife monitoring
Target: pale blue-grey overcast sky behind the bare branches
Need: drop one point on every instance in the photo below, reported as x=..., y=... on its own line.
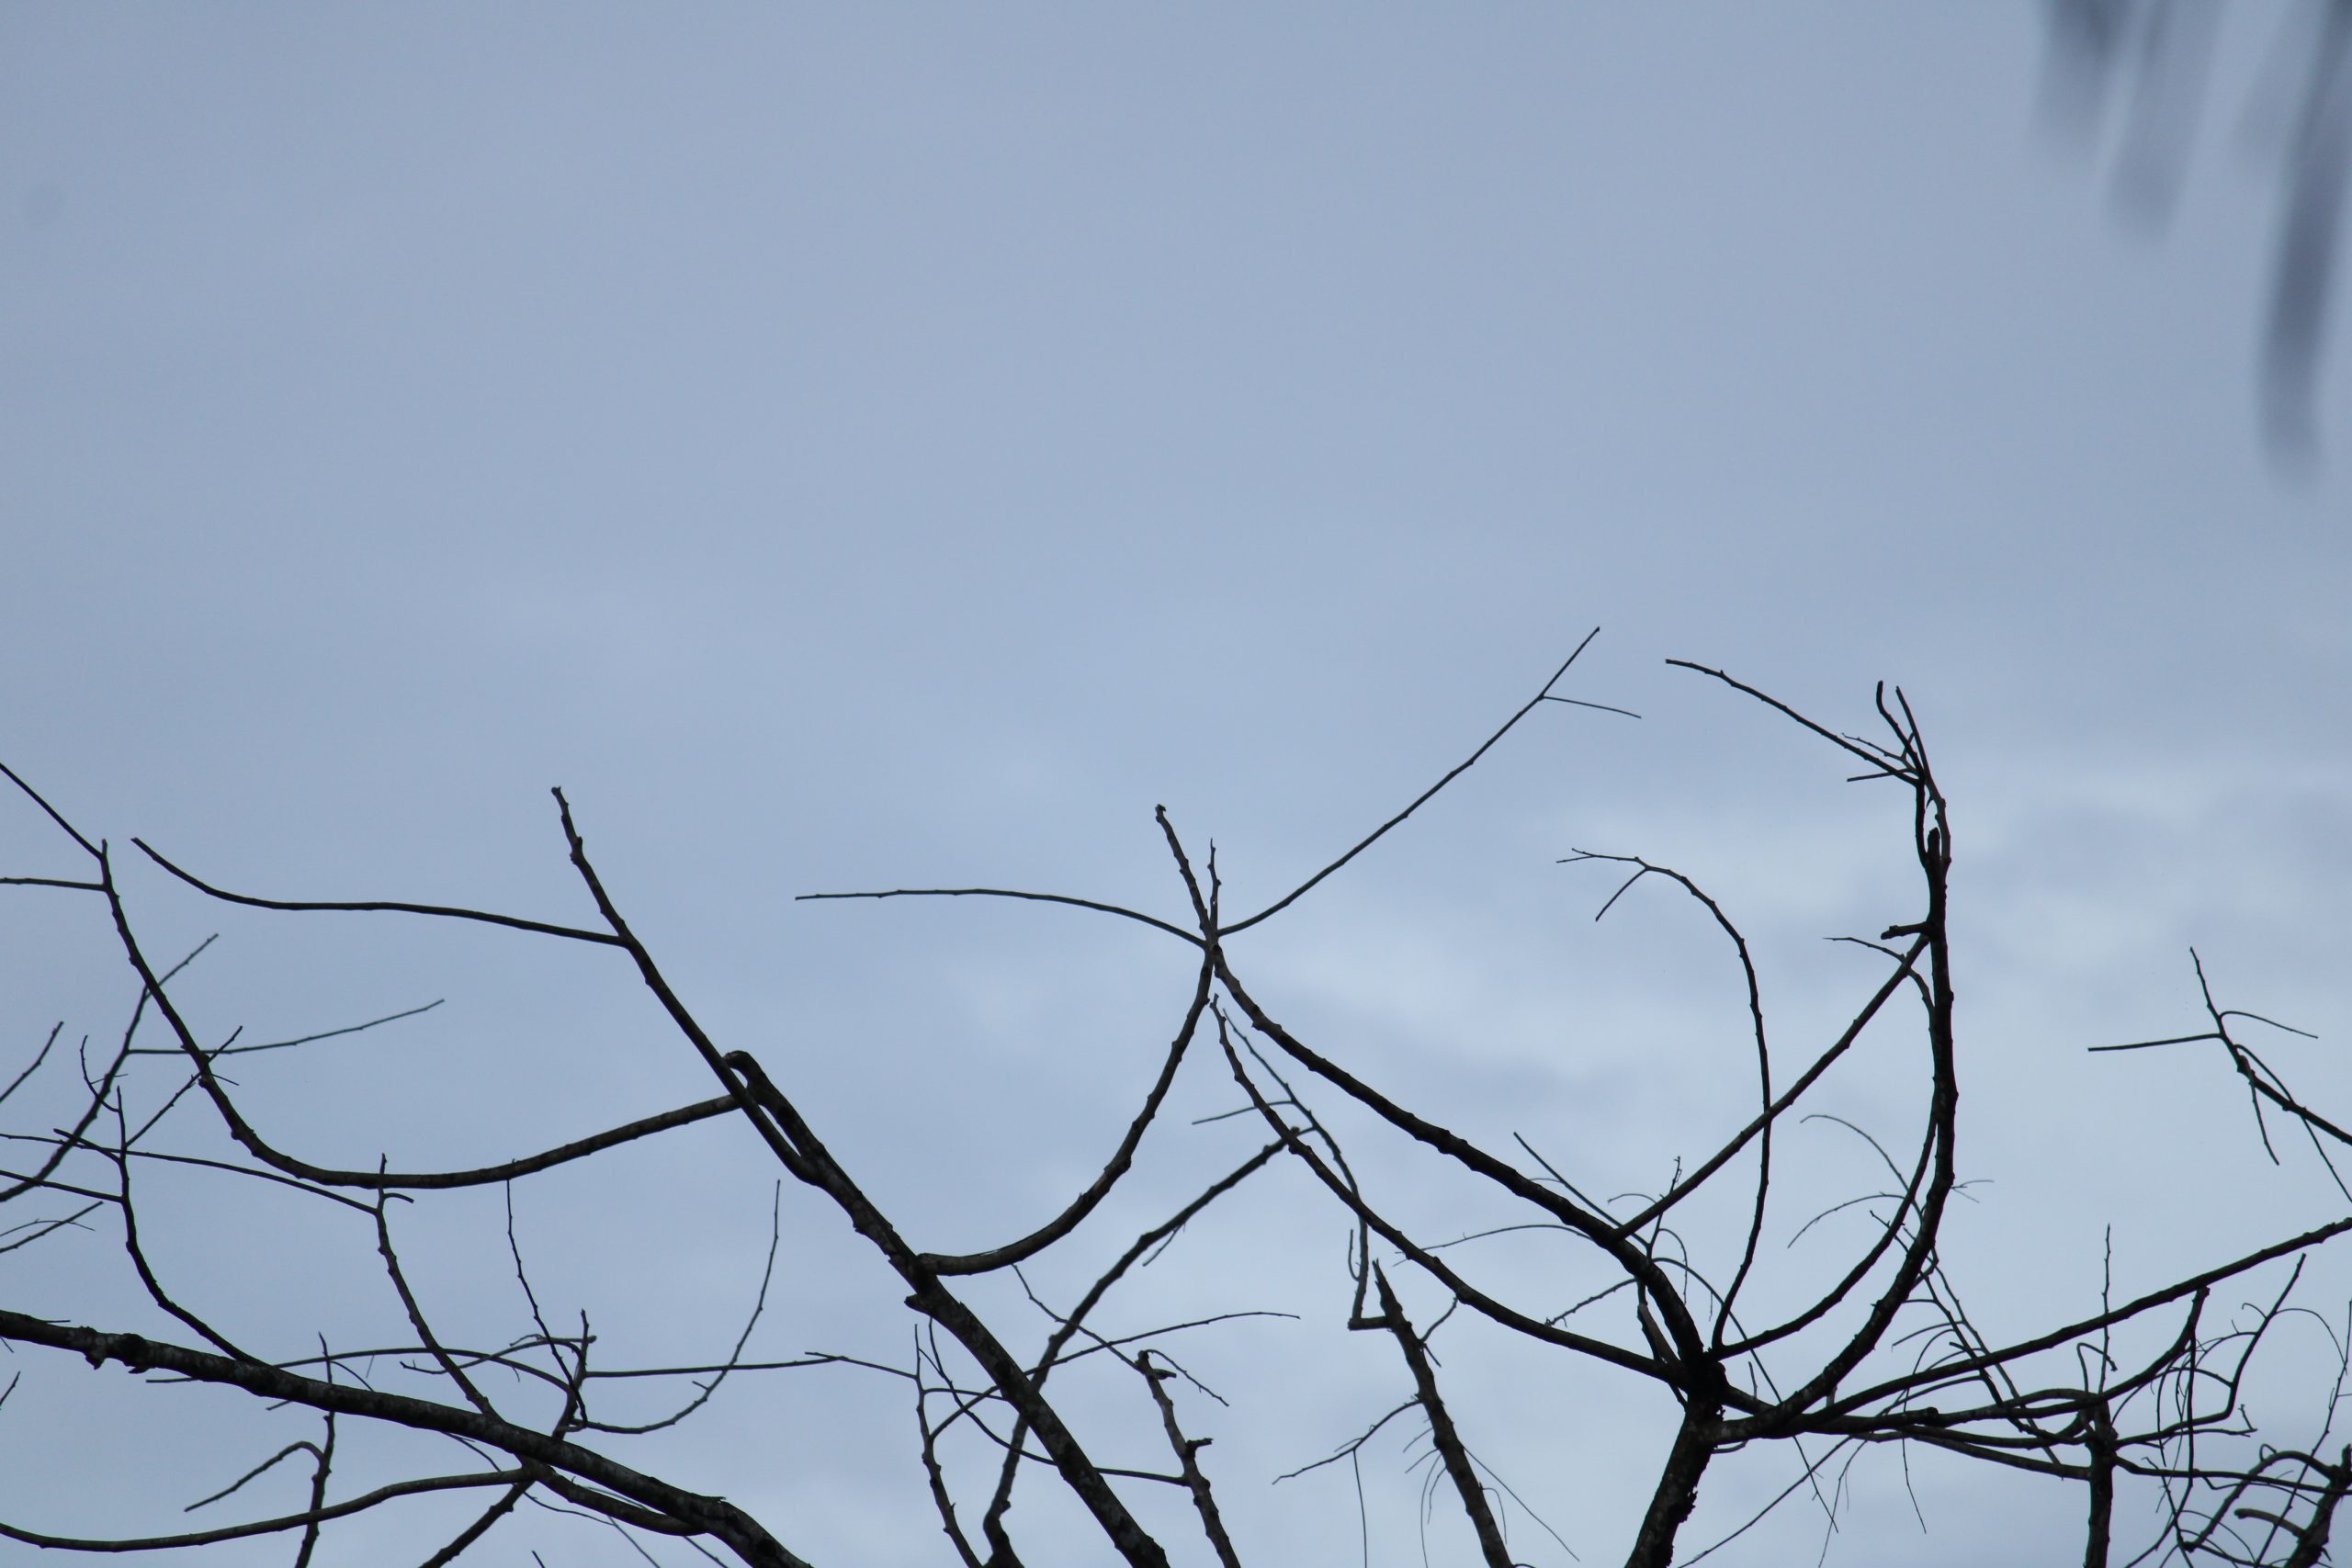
x=857, y=448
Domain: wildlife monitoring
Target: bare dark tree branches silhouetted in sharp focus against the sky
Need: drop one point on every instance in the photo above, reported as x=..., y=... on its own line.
x=1876, y=1353
